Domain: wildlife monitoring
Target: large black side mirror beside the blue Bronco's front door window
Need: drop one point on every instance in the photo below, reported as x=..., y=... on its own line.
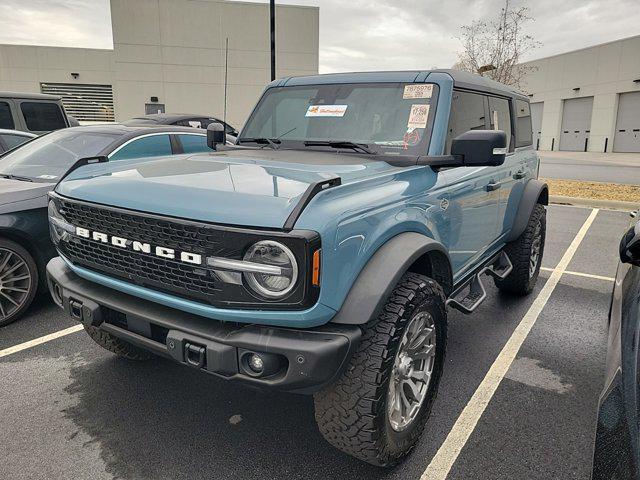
x=480, y=148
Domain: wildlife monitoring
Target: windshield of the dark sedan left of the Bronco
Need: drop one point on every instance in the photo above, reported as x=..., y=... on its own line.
x=46, y=158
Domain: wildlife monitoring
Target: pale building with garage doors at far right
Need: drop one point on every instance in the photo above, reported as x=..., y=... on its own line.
x=588, y=99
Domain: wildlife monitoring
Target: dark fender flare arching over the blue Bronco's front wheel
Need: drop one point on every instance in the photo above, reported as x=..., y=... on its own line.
x=383, y=271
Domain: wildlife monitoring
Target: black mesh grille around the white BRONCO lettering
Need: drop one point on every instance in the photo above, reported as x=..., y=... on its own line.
x=177, y=278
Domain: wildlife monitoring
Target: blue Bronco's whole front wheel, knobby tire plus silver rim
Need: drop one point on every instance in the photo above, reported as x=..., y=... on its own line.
x=377, y=410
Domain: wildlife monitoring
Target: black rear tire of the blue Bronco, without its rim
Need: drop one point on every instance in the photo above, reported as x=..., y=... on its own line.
x=519, y=281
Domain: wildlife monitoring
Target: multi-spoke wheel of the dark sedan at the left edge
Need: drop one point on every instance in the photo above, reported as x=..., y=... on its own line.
x=18, y=281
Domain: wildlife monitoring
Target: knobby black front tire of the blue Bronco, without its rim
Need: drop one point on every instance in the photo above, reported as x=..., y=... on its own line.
x=352, y=413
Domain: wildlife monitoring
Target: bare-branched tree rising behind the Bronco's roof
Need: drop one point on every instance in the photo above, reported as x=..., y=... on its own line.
x=494, y=48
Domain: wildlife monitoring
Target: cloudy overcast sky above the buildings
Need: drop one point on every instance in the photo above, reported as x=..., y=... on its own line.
x=357, y=34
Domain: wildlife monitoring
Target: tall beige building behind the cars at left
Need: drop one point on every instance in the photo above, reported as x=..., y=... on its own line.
x=170, y=55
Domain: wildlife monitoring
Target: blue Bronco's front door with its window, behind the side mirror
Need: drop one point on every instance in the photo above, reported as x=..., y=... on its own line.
x=473, y=200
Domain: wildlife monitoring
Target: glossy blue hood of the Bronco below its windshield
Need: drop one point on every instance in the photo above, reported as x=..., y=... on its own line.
x=250, y=187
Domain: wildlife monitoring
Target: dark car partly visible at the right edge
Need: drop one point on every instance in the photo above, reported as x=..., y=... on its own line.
x=617, y=447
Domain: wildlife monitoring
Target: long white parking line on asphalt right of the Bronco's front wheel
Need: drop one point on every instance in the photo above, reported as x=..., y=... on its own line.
x=448, y=452
